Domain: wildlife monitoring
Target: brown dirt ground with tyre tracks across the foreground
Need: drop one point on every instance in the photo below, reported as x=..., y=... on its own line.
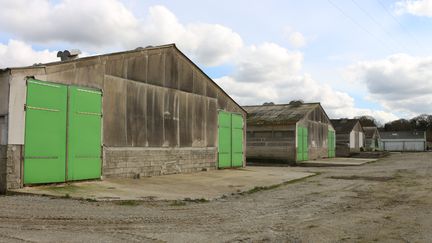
x=386, y=201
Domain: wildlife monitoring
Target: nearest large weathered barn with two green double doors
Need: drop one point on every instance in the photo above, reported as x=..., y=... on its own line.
x=149, y=111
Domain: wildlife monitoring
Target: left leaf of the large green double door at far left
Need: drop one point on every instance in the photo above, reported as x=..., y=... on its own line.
x=45, y=132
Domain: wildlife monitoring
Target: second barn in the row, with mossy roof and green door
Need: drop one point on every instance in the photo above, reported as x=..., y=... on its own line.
x=289, y=133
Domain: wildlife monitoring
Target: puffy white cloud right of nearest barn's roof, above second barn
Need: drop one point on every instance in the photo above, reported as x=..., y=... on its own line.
x=269, y=72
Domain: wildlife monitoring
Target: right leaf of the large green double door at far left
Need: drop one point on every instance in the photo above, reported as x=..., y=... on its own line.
x=84, y=134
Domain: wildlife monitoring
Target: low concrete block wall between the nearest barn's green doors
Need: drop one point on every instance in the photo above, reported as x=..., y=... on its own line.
x=140, y=162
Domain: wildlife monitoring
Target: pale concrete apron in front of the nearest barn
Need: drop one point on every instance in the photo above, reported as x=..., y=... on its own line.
x=202, y=185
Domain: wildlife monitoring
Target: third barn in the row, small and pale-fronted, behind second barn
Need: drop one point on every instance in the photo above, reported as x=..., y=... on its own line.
x=349, y=136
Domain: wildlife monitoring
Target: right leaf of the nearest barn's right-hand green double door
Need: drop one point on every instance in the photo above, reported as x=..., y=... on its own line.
x=237, y=140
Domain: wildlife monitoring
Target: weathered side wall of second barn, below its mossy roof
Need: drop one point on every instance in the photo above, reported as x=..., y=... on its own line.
x=272, y=143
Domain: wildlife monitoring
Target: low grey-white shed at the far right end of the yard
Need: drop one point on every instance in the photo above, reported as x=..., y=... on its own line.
x=414, y=141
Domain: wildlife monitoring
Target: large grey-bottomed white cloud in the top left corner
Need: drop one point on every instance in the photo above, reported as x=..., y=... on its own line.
x=84, y=22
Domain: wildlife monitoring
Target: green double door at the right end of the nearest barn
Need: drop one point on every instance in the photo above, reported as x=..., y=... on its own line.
x=230, y=151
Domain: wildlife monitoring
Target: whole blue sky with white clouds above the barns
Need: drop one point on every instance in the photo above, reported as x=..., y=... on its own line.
x=353, y=56
